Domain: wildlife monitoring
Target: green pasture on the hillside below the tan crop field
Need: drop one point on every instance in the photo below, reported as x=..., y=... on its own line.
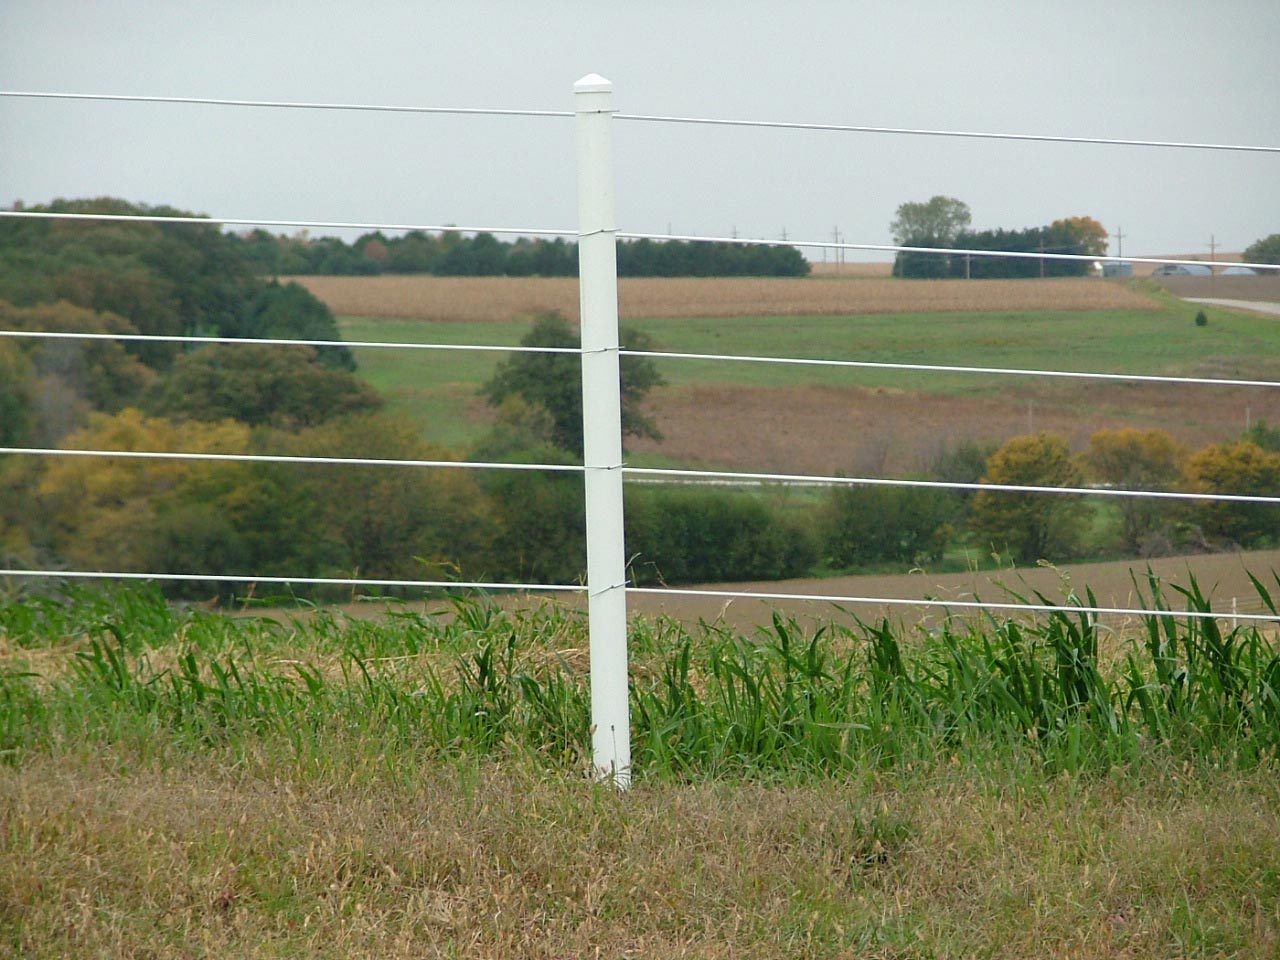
x=438, y=388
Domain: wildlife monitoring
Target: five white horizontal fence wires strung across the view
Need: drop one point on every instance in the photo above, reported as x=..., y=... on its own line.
x=636, y=474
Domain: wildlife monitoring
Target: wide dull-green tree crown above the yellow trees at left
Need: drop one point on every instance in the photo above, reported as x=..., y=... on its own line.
x=284, y=387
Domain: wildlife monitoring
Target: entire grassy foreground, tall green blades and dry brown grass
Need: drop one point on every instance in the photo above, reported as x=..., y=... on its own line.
x=185, y=784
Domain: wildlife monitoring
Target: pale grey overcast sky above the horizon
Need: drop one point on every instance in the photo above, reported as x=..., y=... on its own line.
x=1169, y=71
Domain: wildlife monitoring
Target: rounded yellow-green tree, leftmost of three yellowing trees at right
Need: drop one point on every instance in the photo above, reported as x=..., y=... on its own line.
x=1031, y=525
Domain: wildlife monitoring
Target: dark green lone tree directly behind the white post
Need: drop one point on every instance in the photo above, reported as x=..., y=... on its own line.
x=554, y=382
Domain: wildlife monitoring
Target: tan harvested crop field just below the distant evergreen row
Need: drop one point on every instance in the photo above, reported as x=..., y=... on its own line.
x=500, y=299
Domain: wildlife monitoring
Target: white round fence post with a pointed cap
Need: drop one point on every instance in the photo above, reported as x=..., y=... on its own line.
x=602, y=431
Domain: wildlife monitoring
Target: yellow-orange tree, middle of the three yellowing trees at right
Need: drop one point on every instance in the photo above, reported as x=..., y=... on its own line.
x=1137, y=460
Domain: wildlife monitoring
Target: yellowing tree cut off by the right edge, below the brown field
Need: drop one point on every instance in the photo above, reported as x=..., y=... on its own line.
x=1240, y=468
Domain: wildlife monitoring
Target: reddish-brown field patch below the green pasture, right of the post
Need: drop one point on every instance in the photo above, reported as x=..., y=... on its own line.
x=894, y=433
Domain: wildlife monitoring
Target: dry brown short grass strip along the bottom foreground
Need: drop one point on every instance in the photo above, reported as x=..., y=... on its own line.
x=115, y=857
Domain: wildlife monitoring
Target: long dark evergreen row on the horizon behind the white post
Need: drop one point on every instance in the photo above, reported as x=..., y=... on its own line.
x=454, y=254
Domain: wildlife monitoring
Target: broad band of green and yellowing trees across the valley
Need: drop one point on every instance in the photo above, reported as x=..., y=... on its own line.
x=406, y=523
